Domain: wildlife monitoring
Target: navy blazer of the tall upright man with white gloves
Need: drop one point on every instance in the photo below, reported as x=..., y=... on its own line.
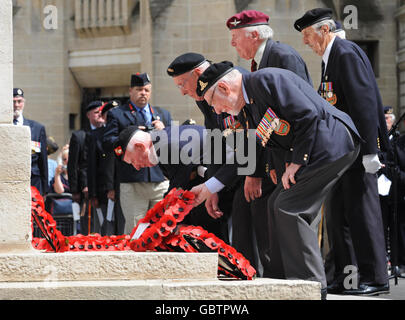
x=354, y=90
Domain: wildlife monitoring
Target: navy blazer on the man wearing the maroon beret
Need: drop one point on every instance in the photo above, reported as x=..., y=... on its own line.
x=280, y=55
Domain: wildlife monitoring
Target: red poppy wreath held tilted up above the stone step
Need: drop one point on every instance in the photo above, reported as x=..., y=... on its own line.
x=160, y=221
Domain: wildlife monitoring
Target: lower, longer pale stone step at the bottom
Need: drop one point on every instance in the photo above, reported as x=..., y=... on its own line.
x=258, y=289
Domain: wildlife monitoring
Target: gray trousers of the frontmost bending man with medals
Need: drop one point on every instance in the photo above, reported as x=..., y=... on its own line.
x=294, y=250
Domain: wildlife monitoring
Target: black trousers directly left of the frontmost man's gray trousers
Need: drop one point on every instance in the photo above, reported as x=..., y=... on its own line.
x=249, y=222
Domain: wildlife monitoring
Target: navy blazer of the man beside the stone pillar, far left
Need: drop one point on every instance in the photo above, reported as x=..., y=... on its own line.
x=39, y=156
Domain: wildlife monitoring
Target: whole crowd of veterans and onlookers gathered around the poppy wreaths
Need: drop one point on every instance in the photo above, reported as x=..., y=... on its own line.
x=332, y=159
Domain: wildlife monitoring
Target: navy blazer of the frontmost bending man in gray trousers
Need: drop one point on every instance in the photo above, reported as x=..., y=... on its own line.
x=314, y=125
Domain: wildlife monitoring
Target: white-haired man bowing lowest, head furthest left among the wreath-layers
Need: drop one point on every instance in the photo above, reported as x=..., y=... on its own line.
x=180, y=153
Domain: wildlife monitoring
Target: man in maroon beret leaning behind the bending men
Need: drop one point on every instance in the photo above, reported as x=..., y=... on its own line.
x=252, y=39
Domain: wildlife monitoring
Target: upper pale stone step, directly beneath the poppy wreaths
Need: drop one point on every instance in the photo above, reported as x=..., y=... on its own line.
x=107, y=265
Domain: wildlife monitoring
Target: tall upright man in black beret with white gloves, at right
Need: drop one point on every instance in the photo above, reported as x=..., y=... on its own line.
x=349, y=84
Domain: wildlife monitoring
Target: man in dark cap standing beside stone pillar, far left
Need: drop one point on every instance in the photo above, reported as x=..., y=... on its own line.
x=39, y=158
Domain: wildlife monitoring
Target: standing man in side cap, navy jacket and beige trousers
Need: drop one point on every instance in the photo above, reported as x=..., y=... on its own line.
x=139, y=189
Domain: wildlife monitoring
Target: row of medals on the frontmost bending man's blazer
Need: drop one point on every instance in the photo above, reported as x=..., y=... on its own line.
x=271, y=123
